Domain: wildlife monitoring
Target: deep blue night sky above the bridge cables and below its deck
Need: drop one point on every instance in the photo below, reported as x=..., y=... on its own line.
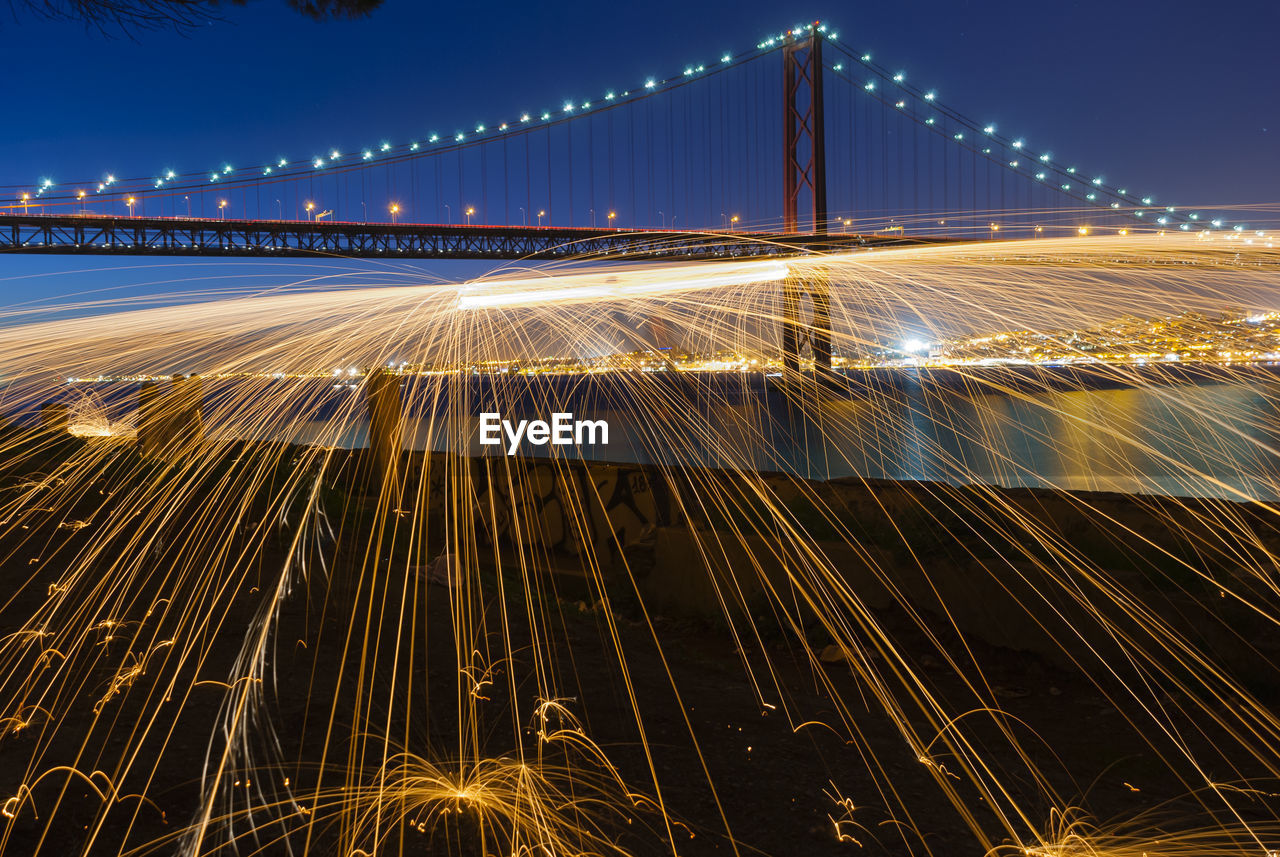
x=1177, y=98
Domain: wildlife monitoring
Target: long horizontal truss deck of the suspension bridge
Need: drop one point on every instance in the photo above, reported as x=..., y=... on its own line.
x=115, y=236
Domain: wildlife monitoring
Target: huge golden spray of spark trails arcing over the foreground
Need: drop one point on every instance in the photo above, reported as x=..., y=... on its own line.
x=228, y=633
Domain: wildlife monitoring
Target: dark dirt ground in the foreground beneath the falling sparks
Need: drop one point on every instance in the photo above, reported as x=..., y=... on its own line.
x=757, y=740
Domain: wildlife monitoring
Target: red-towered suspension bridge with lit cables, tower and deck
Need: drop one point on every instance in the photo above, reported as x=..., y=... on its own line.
x=797, y=146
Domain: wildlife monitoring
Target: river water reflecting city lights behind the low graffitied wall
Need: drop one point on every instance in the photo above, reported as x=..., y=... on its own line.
x=1140, y=430
